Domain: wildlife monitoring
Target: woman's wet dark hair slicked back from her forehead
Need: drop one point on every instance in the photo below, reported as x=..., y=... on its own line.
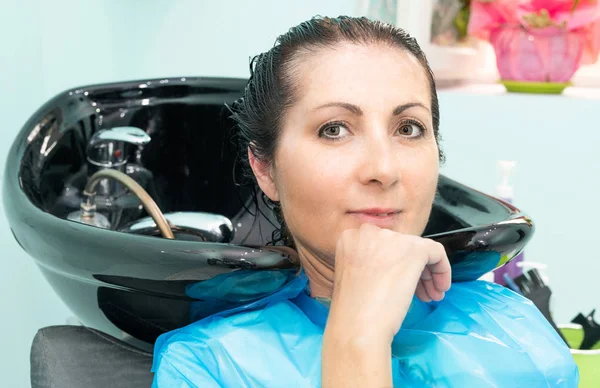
x=275, y=82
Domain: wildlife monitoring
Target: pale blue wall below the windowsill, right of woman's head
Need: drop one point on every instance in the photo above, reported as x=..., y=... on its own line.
x=554, y=140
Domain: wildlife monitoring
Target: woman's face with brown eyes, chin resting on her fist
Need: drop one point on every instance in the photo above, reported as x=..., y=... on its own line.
x=358, y=142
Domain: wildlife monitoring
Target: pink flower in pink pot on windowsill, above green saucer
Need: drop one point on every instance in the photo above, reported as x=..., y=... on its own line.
x=538, y=40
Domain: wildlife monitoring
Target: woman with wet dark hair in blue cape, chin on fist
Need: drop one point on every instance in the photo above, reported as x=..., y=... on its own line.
x=339, y=122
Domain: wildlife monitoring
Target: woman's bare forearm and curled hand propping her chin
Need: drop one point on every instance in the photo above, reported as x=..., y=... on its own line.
x=377, y=273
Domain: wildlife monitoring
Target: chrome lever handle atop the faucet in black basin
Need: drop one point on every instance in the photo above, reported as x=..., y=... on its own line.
x=107, y=148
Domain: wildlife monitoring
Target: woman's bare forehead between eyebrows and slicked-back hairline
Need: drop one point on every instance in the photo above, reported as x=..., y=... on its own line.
x=364, y=74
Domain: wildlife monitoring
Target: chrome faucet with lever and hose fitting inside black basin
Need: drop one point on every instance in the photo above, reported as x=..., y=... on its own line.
x=110, y=148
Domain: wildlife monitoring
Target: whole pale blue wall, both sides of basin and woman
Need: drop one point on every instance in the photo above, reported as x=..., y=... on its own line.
x=46, y=47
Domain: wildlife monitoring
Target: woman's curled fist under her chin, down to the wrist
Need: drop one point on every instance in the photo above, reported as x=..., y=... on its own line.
x=377, y=273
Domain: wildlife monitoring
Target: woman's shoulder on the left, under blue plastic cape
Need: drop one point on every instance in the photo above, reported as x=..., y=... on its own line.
x=278, y=341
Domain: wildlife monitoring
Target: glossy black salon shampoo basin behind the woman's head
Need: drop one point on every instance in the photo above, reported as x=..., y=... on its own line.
x=137, y=286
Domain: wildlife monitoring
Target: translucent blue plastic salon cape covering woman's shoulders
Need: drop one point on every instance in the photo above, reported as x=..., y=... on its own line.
x=480, y=335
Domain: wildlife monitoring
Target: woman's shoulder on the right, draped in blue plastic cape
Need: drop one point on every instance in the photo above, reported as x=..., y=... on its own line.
x=483, y=327
